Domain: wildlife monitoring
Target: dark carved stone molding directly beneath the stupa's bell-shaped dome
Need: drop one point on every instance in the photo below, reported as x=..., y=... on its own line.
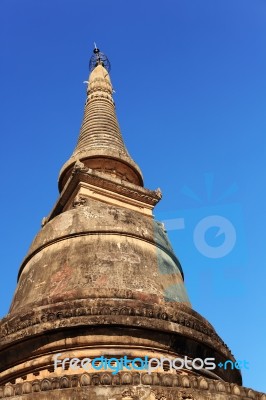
x=90, y=307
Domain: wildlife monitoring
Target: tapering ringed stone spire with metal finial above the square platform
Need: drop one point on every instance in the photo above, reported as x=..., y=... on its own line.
x=100, y=144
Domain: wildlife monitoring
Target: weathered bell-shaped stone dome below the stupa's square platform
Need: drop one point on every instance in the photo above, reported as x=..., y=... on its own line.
x=99, y=247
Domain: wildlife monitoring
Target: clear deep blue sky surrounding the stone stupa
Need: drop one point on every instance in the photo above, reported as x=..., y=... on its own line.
x=190, y=81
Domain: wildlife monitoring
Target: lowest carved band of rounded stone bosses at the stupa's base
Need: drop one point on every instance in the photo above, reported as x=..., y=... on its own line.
x=175, y=387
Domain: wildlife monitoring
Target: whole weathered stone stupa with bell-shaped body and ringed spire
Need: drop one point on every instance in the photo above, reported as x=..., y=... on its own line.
x=100, y=310
